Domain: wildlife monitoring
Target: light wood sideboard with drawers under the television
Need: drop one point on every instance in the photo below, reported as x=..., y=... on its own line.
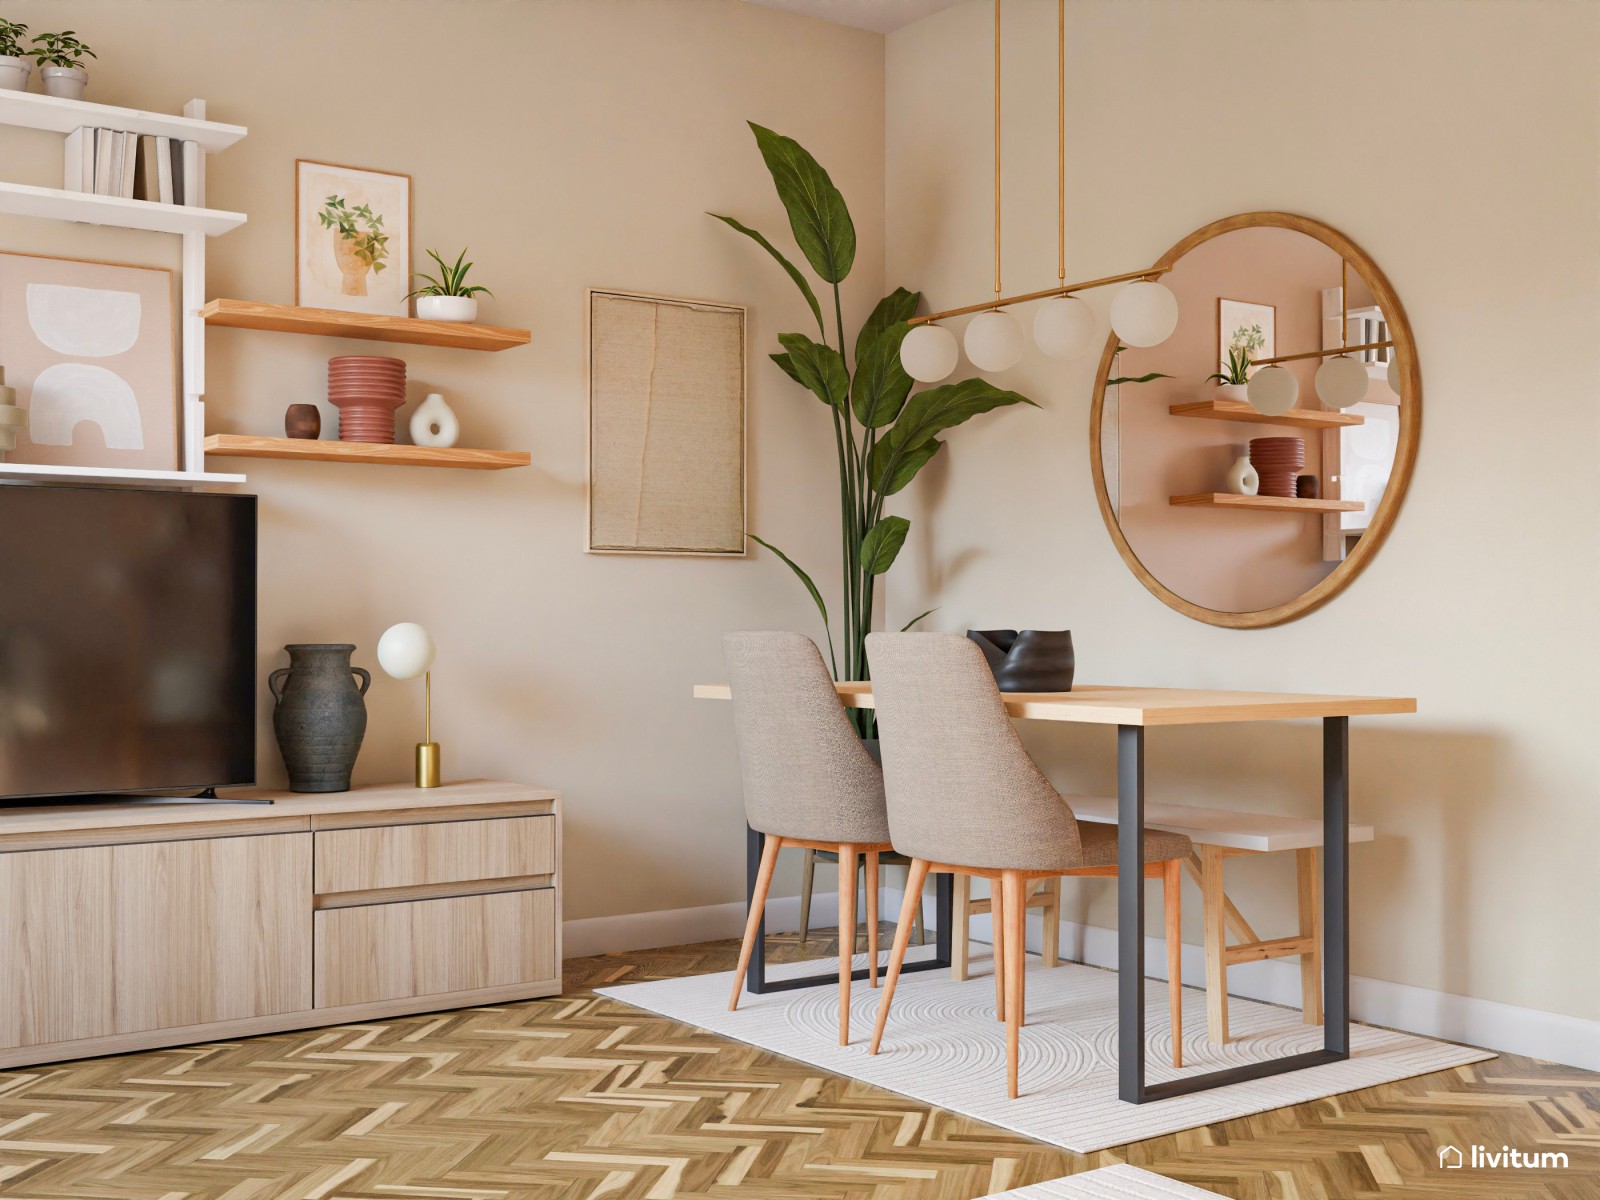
x=143, y=924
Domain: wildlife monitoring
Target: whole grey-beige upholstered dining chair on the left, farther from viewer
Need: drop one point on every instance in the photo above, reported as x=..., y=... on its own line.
x=809, y=783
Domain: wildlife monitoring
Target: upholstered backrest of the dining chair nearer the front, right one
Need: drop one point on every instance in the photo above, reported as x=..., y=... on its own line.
x=961, y=786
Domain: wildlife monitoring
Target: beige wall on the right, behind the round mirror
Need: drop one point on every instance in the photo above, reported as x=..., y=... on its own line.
x=1479, y=202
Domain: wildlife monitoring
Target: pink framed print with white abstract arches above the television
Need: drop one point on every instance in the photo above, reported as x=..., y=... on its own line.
x=90, y=350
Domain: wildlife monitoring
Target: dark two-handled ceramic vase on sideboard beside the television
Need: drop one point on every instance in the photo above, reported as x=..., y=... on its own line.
x=321, y=716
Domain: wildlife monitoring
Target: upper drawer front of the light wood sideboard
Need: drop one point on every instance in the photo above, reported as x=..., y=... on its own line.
x=446, y=852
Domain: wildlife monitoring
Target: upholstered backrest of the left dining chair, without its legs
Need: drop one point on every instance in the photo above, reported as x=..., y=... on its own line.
x=806, y=772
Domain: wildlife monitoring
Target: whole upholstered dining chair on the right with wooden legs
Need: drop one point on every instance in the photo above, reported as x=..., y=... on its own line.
x=964, y=796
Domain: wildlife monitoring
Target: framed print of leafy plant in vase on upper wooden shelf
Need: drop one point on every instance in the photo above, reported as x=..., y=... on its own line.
x=353, y=239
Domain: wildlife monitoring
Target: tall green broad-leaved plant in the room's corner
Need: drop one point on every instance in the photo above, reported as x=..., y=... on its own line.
x=882, y=433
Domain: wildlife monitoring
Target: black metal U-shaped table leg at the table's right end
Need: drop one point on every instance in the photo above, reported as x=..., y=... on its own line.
x=1130, y=924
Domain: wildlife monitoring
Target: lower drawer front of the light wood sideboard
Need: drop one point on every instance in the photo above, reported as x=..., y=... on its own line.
x=428, y=948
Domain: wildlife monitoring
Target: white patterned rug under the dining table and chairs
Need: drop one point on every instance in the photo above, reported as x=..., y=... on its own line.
x=945, y=1047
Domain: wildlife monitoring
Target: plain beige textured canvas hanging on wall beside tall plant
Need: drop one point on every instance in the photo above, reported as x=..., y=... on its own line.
x=666, y=425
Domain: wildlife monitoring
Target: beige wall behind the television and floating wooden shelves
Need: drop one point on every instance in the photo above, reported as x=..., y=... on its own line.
x=569, y=145
